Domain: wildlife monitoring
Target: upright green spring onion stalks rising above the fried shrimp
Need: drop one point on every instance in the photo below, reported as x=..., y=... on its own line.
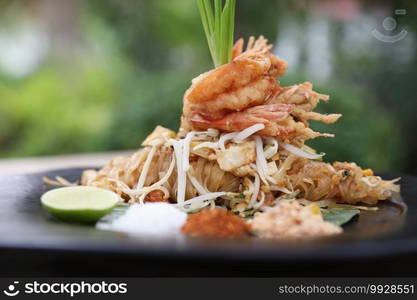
x=219, y=28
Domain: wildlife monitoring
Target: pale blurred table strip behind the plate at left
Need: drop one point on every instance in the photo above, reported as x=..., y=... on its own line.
x=38, y=164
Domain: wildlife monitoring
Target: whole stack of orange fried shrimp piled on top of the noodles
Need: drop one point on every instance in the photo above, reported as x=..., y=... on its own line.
x=245, y=92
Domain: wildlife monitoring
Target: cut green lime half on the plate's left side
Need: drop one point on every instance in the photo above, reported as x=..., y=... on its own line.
x=83, y=204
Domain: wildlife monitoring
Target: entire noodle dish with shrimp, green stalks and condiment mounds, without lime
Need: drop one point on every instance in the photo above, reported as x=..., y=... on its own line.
x=239, y=165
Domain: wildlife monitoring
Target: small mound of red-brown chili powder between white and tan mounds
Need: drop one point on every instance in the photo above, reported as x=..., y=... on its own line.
x=216, y=223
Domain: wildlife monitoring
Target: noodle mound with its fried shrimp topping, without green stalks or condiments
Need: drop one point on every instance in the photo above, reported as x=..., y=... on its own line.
x=241, y=146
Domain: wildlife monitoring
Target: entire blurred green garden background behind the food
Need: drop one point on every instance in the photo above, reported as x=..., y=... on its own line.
x=84, y=76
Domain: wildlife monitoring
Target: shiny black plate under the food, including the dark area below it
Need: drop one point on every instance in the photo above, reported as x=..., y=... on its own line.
x=32, y=243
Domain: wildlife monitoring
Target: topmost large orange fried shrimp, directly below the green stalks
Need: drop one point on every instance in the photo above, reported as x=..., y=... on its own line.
x=248, y=80
